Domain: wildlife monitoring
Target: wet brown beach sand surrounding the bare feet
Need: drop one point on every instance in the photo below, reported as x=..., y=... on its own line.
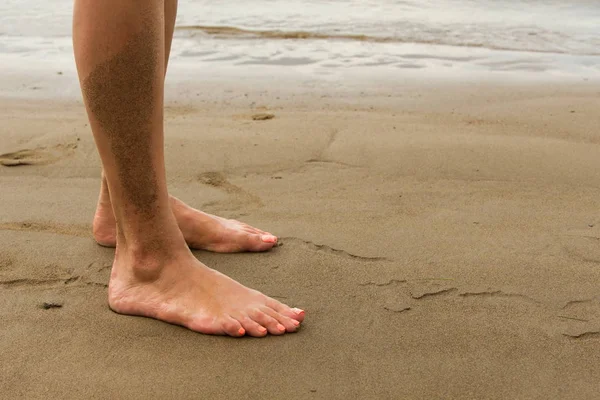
x=444, y=240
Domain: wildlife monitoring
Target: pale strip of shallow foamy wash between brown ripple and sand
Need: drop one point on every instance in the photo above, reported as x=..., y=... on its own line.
x=33, y=77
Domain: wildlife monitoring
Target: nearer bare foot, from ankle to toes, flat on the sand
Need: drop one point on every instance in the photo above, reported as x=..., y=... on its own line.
x=181, y=290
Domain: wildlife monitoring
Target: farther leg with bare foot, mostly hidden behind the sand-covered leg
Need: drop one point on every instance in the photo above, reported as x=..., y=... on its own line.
x=201, y=230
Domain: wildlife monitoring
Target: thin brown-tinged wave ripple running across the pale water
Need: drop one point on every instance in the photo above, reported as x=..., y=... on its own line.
x=231, y=32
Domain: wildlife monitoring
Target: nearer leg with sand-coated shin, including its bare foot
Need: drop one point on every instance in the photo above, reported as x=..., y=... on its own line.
x=119, y=49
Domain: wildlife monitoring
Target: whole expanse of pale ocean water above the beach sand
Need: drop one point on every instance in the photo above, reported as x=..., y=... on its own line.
x=538, y=38
